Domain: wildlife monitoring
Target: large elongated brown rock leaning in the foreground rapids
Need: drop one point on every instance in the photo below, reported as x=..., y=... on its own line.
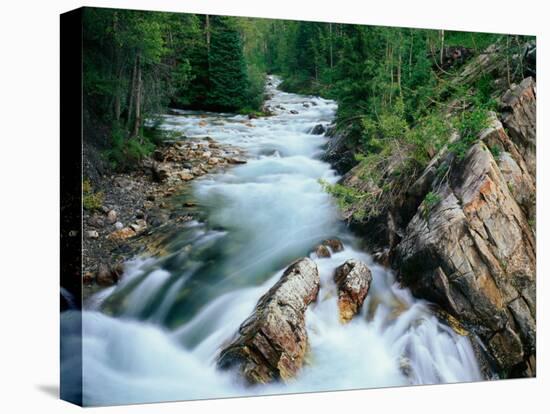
x=271, y=344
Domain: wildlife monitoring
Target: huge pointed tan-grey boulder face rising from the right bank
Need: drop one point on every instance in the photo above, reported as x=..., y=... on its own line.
x=473, y=254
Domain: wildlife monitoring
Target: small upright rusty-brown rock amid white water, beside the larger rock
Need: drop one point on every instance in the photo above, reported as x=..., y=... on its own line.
x=353, y=279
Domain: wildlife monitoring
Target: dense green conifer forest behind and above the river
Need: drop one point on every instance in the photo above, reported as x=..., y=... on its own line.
x=386, y=80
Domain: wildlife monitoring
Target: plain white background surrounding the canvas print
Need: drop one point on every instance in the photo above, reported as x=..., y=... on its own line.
x=29, y=173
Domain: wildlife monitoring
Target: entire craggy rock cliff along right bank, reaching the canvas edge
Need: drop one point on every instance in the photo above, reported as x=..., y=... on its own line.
x=463, y=234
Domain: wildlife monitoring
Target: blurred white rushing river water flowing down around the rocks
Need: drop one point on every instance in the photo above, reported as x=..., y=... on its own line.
x=171, y=315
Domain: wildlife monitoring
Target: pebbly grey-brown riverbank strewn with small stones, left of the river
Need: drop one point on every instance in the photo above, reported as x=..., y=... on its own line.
x=133, y=206
